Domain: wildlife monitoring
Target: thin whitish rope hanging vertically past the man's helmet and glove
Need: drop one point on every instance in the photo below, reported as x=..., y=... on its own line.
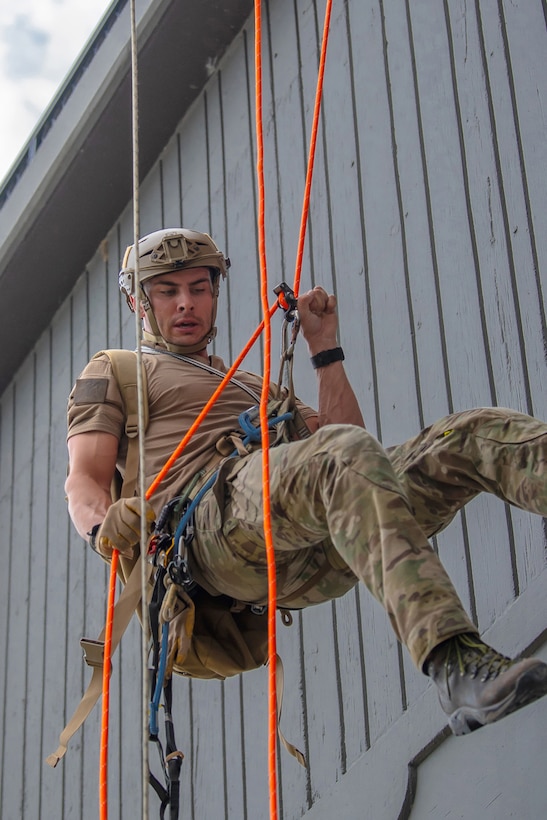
x=140, y=404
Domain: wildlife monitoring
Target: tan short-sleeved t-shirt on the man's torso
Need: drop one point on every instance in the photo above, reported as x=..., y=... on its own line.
x=177, y=392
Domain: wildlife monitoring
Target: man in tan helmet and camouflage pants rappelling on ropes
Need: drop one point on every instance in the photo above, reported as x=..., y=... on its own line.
x=343, y=508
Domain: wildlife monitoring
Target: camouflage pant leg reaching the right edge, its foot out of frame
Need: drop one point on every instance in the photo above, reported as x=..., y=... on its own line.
x=487, y=449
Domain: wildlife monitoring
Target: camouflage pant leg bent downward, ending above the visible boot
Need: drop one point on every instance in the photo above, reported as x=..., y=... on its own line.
x=338, y=485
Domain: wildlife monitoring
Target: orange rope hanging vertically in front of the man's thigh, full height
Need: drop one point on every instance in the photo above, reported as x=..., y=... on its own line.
x=268, y=540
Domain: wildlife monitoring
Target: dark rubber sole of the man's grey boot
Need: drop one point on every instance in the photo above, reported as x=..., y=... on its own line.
x=531, y=686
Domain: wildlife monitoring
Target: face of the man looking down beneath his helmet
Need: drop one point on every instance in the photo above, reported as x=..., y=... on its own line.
x=182, y=302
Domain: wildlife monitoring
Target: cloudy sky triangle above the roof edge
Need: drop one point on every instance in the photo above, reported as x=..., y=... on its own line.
x=39, y=42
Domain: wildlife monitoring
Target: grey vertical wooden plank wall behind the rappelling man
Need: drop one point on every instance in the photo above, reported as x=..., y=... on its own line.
x=428, y=220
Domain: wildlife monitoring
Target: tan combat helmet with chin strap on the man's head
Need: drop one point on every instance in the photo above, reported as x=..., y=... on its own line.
x=168, y=250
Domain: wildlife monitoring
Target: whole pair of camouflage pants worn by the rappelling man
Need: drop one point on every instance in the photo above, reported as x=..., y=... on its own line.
x=345, y=509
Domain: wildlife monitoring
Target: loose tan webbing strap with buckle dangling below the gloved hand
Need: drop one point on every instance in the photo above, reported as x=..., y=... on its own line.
x=126, y=605
